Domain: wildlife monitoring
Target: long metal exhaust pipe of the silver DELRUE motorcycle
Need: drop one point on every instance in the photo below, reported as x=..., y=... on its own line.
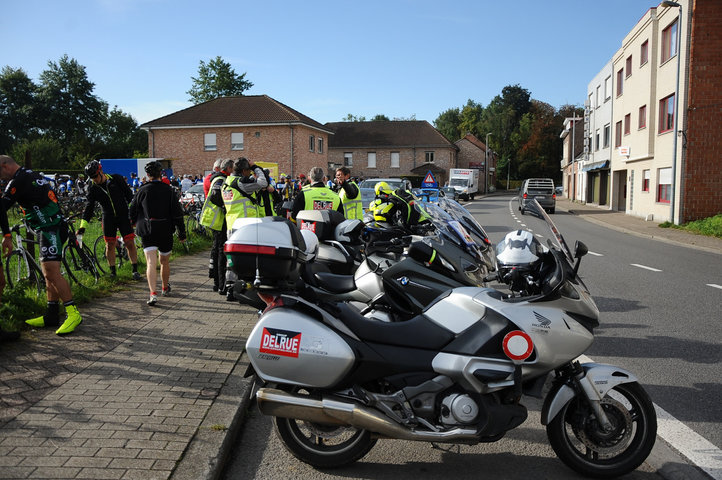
x=278, y=403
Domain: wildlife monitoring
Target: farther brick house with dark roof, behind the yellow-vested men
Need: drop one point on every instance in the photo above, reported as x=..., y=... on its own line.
x=406, y=149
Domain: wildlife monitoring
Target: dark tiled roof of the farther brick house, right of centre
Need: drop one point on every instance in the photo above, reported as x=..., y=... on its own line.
x=381, y=134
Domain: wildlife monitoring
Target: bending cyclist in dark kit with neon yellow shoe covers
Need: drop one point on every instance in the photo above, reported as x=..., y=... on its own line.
x=33, y=193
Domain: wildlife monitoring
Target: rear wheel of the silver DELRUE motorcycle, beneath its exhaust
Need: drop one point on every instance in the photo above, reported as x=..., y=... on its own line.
x=321, y=445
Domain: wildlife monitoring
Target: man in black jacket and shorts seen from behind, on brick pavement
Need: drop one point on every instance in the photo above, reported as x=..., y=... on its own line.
x=156, y=212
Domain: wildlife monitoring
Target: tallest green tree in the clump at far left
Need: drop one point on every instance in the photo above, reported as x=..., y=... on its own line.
x=69, y=109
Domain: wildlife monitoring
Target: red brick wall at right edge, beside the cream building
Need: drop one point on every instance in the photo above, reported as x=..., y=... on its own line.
x=702, y=180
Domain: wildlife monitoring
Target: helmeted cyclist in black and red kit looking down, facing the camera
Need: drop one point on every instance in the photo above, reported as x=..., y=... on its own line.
x=113, y=194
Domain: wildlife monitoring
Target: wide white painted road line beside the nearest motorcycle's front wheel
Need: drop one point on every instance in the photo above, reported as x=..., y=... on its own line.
x=697, y=449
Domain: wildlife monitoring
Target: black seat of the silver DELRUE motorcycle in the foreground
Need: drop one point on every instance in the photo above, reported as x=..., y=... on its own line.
x=418, y=332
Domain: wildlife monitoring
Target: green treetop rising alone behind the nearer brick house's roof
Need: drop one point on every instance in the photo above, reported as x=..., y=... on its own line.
x=217, y=79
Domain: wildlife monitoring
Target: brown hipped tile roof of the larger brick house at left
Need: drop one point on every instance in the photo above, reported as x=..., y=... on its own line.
x=242, y=110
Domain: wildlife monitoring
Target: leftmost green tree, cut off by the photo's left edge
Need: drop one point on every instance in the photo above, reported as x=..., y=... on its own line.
x=18, y=108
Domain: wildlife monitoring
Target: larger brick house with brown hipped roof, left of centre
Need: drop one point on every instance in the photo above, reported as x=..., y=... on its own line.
x=255, y=126
